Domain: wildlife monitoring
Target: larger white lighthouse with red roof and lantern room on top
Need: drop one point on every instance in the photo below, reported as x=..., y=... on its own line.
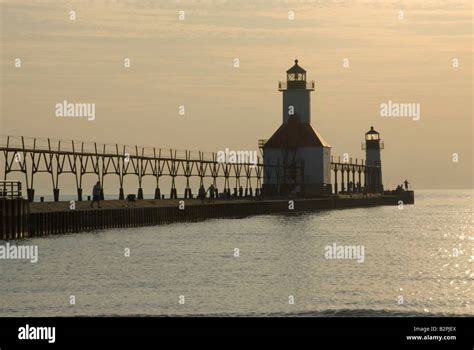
x=295, y=146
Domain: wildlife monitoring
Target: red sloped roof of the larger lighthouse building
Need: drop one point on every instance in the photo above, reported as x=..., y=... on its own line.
x=295, y=135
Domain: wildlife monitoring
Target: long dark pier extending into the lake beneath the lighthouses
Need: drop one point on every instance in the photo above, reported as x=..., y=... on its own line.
x=58, y=218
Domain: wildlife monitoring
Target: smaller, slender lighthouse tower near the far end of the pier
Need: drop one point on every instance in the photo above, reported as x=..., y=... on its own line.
x=372, y=146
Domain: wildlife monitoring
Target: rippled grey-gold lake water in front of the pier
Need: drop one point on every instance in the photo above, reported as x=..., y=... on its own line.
x=418, y=260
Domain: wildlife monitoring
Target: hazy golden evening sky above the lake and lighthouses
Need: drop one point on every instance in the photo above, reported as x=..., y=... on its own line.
x=191, y=63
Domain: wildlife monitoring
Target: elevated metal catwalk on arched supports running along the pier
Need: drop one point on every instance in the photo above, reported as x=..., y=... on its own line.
x=31, y=156
